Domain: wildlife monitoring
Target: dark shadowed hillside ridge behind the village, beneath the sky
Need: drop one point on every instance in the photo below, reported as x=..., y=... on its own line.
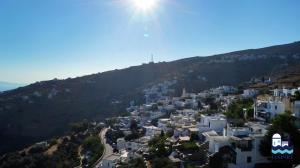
x=44, y=109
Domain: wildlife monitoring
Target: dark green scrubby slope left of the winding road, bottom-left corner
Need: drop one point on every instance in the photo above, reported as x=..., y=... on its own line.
x=63, y=152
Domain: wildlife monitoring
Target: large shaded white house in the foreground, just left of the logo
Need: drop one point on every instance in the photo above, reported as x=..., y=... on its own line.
x=244, y=141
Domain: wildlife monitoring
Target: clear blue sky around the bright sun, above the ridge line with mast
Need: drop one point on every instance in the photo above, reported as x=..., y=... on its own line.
x=42, y=40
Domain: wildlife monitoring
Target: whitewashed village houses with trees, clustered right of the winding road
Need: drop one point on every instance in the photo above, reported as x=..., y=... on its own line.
x=193, y=129
